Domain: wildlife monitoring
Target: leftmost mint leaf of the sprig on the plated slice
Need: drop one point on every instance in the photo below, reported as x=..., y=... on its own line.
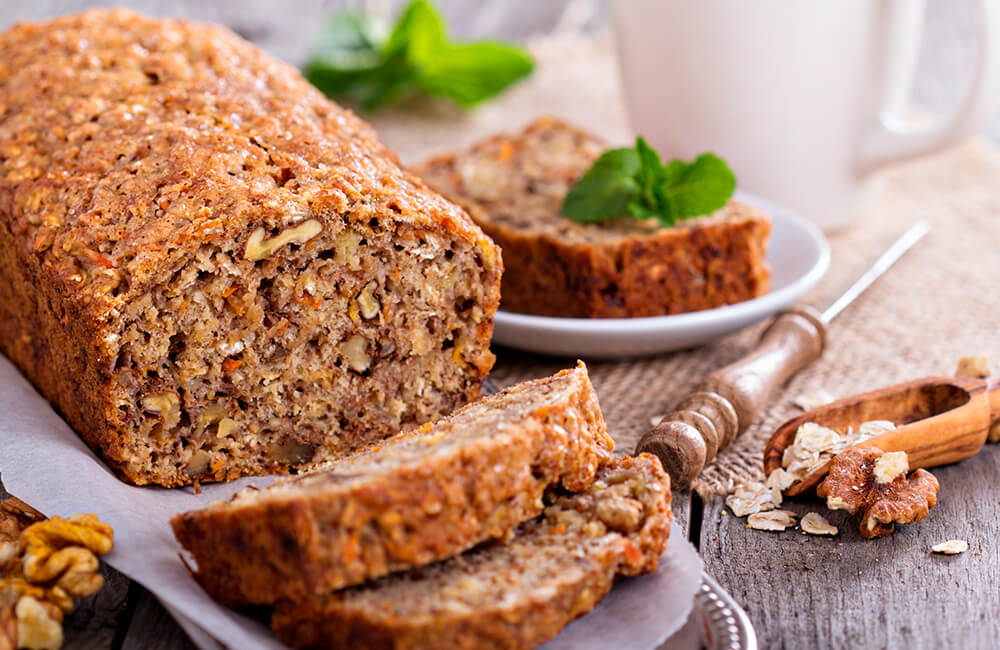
x=607, y=189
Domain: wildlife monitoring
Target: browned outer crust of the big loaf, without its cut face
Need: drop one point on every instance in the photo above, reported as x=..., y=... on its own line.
x=129, y=144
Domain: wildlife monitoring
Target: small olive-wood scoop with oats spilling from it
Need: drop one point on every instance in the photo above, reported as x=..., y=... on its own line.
x=939, y=420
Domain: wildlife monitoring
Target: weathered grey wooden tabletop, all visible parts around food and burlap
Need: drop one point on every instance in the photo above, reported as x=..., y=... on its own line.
x=800, y=592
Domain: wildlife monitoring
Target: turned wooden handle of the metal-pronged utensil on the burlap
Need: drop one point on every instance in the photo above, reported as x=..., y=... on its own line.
x=732, y=398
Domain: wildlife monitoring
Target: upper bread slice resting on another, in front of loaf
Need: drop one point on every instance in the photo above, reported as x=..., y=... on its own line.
x=419, y=497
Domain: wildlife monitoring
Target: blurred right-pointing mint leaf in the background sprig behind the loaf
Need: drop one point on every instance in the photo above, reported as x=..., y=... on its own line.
x=473, y=72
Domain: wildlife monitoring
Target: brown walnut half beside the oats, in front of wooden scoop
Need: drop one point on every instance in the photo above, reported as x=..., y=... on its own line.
x=876, y=492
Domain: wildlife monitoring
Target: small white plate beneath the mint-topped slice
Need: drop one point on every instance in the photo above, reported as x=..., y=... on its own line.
x=798, y=255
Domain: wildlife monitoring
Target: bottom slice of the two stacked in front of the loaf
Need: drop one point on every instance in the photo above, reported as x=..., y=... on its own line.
x=516, y=594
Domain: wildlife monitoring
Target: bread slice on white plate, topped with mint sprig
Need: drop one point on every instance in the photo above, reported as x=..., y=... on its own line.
x=514, y=185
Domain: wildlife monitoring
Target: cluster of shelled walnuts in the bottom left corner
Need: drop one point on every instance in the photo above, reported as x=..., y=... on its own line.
x=44, y=566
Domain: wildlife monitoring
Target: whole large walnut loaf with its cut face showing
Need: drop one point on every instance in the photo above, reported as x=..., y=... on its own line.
x=211, y=270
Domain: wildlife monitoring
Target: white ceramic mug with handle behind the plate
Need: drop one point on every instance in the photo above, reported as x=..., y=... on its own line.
x=802, y=97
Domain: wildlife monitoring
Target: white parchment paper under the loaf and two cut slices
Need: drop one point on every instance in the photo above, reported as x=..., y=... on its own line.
x=44, y=463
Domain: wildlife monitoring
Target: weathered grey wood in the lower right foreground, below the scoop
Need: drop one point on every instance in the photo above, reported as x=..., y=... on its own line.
x=846, y=592
